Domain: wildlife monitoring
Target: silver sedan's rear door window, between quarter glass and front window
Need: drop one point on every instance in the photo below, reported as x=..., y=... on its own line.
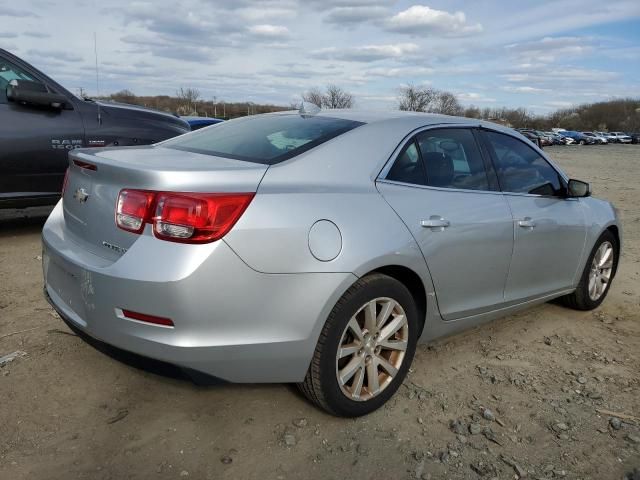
x=452, y=159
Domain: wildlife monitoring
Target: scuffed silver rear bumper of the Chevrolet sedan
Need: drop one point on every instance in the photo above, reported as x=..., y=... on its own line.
x=230, y=321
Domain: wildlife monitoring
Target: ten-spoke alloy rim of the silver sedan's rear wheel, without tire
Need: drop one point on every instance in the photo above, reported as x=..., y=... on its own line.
x=372, y=349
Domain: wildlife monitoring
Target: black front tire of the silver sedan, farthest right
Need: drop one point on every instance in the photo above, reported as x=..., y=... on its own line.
x=583, y=297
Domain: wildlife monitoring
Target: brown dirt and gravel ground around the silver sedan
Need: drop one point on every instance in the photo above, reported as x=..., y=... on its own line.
x=548, y=377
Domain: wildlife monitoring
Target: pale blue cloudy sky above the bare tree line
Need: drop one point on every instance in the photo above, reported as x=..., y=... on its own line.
x=541, y=55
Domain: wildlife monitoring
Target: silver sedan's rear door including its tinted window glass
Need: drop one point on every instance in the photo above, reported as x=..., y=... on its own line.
x=442, y=188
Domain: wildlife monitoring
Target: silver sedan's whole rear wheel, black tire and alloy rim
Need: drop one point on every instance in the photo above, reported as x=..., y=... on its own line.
x=365, y=348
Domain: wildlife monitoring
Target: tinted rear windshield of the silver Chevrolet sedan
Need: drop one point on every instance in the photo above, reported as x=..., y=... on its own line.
x=266, y=139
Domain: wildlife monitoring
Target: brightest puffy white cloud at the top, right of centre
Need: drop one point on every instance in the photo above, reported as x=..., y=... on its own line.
x=423, y=21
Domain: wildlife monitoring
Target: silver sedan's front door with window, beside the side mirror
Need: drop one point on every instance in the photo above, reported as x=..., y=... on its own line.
x=549, y=229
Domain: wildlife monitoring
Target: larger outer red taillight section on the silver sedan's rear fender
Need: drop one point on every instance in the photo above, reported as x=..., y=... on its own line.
x=197, y=217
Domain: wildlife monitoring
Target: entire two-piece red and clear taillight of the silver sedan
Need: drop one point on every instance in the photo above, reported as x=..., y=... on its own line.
x=181, y=217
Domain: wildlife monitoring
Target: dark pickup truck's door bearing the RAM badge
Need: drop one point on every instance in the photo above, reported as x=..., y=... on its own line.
x=34, y=142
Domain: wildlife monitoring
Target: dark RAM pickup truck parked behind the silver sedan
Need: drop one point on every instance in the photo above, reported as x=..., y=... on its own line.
x=40, y=121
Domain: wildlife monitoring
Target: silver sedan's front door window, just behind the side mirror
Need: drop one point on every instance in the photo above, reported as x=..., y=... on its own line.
x=521, y=169
